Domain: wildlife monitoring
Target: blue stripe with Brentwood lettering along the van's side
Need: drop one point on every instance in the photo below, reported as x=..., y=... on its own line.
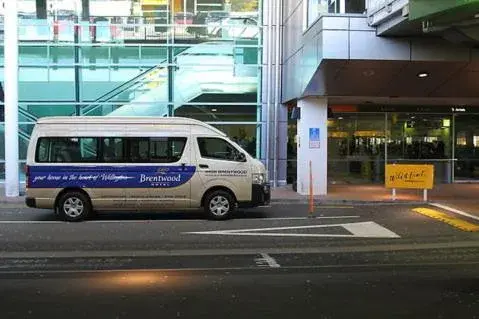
x=109, y=176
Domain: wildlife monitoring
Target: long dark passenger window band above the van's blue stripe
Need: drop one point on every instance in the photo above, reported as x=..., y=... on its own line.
x=110, y=149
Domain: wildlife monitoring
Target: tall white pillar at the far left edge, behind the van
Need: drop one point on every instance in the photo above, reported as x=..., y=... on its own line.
x=12, y=182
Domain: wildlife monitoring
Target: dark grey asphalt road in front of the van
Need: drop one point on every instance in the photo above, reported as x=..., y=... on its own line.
x=361, y=262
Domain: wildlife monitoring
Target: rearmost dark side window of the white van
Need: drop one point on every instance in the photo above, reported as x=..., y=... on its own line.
x=67, y=150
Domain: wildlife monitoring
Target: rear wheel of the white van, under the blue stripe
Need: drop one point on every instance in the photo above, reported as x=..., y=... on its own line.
x=74, y=207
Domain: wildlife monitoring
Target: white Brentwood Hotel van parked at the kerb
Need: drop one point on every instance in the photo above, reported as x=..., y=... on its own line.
x=79, y=165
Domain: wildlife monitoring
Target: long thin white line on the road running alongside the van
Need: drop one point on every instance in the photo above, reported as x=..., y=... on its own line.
x=145, y=221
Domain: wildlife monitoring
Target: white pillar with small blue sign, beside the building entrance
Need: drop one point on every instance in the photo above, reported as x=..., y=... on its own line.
x=311, y=147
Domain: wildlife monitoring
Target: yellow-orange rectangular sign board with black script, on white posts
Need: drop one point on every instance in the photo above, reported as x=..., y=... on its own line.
x=410, y=176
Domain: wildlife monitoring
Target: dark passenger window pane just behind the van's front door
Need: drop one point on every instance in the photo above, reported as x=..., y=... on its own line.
x=167, y=149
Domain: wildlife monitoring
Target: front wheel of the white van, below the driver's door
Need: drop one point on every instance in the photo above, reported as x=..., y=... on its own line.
x=219, y=205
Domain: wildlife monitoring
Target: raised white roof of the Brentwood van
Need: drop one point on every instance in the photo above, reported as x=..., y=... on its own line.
x=126, y=120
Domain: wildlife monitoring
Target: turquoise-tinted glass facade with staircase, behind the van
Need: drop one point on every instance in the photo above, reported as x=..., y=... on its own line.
x=192, y=58
